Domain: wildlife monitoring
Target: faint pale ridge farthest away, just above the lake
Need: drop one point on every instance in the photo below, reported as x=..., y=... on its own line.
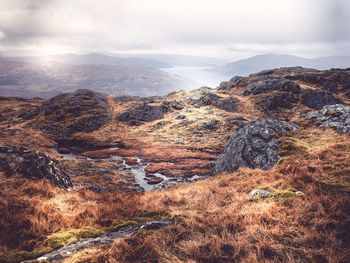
x=178, y=60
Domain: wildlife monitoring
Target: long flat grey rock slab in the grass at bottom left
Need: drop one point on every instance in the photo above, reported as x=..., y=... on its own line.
x=102, y=241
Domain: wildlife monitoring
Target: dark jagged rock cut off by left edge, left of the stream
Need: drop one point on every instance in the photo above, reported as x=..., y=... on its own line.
x=32, y=164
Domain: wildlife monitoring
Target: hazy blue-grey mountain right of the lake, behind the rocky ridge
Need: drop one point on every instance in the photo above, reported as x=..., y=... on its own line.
x=268, y=61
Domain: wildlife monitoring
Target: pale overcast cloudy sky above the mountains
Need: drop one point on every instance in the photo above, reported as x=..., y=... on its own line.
x=229, y=29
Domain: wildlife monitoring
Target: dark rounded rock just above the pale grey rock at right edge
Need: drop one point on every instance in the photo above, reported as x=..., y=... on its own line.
x=318, y=99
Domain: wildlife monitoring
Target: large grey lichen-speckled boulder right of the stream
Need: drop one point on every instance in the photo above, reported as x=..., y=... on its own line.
x=255, y=145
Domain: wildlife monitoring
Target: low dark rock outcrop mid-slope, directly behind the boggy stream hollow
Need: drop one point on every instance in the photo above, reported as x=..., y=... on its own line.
x=144, y=112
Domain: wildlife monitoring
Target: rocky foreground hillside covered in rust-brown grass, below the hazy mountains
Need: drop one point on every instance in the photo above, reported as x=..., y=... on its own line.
x=256, y=170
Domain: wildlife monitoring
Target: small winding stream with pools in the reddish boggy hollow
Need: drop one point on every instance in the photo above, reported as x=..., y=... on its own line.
x=138, y=171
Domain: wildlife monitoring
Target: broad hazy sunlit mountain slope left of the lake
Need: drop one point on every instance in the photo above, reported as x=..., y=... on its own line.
x=46, y=78
